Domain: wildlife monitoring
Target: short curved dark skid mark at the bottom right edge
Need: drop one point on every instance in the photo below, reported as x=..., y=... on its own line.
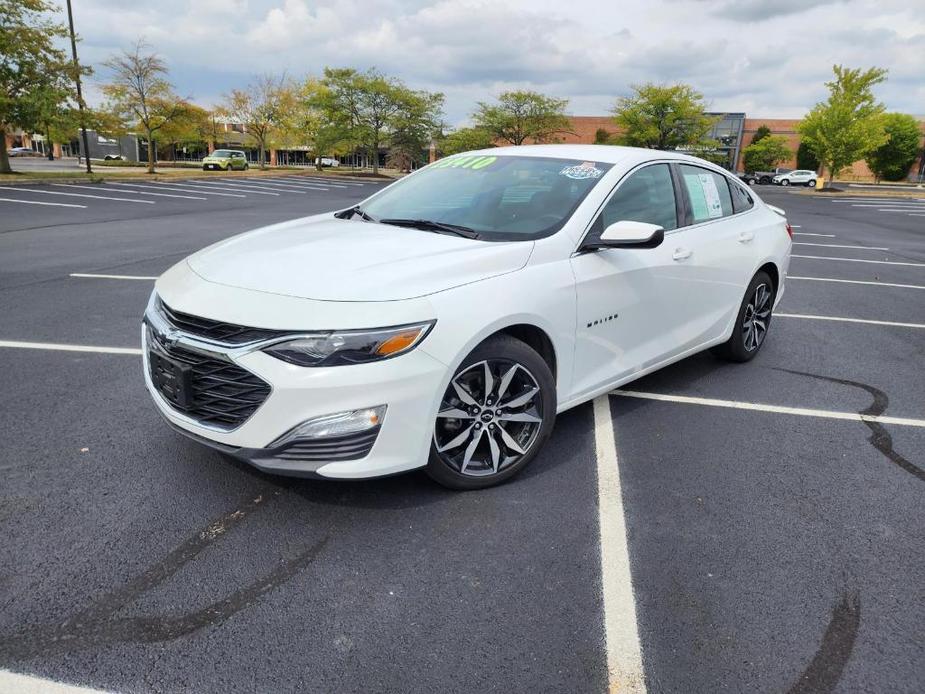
x=825, y=669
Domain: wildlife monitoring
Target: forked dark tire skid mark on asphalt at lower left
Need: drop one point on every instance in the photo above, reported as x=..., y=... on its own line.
x=97, y=625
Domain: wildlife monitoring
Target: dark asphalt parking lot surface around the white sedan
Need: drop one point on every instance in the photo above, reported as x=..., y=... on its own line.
x=774, y=512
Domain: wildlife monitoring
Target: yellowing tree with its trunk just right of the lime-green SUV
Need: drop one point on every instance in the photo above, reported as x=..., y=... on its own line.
x=264, y=108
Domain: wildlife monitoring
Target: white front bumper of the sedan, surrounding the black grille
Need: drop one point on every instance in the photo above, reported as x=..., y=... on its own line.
x=409, y=385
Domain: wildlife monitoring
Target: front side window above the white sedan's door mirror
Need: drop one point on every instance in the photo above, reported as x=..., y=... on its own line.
x=646, y=196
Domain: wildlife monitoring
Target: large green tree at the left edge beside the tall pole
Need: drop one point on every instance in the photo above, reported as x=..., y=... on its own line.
x=35, y=75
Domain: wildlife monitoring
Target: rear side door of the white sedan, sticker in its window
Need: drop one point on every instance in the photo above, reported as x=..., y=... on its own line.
x=719, y=239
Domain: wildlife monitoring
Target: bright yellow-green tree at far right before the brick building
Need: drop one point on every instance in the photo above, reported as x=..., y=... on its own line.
x=849, y=124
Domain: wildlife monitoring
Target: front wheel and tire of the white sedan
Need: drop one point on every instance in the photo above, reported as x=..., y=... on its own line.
x=495, y=415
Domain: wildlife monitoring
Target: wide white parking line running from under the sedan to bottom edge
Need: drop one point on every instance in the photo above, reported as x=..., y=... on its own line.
x=624, y=652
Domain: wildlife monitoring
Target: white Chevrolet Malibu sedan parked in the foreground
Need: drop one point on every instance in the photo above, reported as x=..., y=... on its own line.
x=446, y=320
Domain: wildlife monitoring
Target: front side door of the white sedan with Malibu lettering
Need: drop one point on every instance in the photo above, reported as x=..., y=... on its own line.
x=632, y=304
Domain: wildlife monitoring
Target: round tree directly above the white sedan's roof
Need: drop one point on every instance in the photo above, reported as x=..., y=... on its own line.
x=519, y=116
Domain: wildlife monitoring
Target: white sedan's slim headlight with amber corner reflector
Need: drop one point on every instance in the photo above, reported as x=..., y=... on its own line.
x=350, y=346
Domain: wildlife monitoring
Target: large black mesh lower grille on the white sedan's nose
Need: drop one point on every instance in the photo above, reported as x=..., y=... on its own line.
x=209, y=389
